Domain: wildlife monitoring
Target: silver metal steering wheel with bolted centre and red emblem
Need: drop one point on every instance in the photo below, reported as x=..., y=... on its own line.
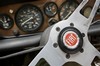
x=67, y=40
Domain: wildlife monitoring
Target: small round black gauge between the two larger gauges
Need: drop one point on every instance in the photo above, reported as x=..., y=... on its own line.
x=50, y=9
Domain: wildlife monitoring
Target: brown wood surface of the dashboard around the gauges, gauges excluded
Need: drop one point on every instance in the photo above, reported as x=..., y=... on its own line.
x=40, y=3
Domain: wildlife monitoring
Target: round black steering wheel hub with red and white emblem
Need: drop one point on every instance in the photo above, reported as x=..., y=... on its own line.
x=70, y=40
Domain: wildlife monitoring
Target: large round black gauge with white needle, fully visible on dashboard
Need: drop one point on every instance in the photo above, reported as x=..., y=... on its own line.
x=29, y=18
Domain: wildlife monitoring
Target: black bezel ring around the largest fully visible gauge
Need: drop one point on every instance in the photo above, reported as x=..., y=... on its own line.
x=23, y=7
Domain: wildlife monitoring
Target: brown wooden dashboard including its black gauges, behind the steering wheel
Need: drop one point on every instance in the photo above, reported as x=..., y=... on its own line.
x=35, y=16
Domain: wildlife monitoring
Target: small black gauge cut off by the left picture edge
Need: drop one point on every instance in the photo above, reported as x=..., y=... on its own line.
x=6, y=22
